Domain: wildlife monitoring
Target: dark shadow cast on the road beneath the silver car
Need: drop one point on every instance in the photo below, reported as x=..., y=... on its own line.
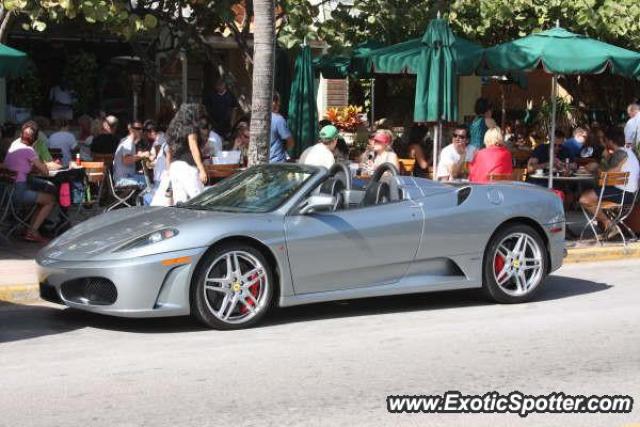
x=18, y=322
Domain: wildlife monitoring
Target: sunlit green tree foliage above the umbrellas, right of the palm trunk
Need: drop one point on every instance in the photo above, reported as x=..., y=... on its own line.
x=487, y=21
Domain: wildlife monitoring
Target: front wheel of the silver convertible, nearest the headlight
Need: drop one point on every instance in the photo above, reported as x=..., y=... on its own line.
x=232, y=288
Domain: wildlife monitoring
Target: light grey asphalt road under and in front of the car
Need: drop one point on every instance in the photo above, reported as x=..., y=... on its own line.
x=328, y=364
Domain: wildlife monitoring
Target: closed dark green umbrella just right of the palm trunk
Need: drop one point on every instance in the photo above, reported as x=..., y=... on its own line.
x=303, y=113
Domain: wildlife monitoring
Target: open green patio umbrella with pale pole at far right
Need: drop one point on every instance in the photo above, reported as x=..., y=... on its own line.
x=559, y=51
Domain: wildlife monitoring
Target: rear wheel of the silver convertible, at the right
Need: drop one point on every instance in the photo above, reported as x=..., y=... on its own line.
x=515, y=264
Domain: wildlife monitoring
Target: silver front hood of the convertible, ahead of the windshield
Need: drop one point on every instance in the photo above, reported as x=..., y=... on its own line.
x=105, y=233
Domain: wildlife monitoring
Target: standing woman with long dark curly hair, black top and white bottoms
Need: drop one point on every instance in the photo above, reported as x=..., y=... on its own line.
x=186, y=170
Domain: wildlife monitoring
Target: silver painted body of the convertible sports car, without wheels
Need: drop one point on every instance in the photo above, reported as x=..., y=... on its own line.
x=423, y=243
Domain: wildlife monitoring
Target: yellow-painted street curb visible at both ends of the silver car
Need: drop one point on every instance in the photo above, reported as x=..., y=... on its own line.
x=29, y=293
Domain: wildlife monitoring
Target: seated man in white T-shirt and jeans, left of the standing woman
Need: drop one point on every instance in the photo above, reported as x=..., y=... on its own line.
x=125, y=158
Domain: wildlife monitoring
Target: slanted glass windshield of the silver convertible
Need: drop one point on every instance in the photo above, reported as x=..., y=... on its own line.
x=258, y=189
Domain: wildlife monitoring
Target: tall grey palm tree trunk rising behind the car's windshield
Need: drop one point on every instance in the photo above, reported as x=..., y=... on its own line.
x=262, y=97
